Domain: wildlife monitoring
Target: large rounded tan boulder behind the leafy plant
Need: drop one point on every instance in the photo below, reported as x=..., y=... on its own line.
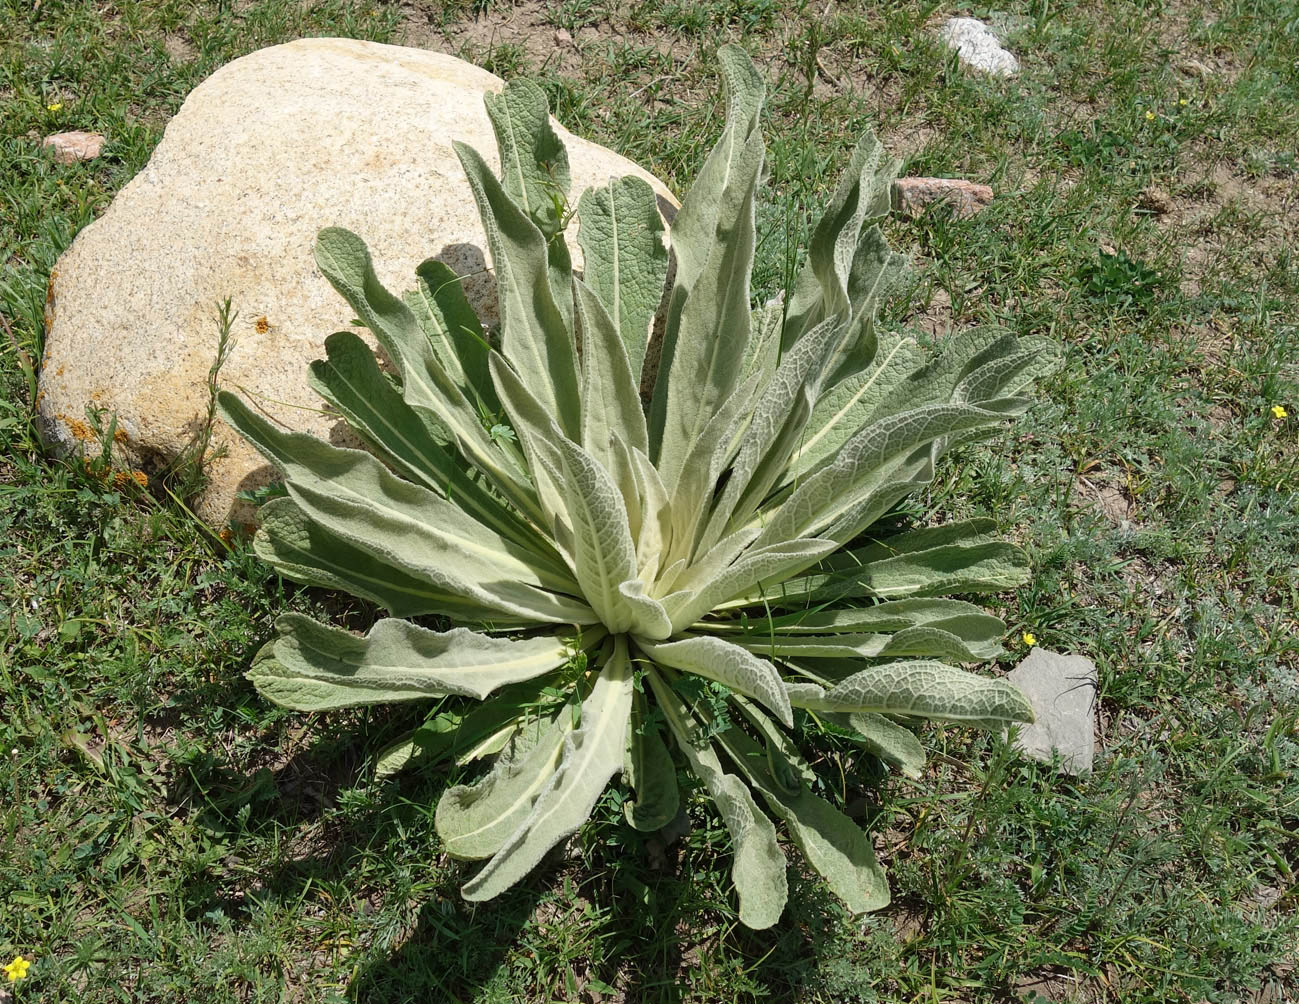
x=264, y=154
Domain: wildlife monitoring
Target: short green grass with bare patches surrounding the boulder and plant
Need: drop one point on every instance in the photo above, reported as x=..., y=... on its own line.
x=170, y=836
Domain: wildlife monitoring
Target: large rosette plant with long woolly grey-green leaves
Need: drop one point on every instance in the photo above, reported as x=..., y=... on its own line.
x=677, y=579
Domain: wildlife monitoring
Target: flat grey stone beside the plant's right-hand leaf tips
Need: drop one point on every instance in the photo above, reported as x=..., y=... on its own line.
x=1063, y=694
